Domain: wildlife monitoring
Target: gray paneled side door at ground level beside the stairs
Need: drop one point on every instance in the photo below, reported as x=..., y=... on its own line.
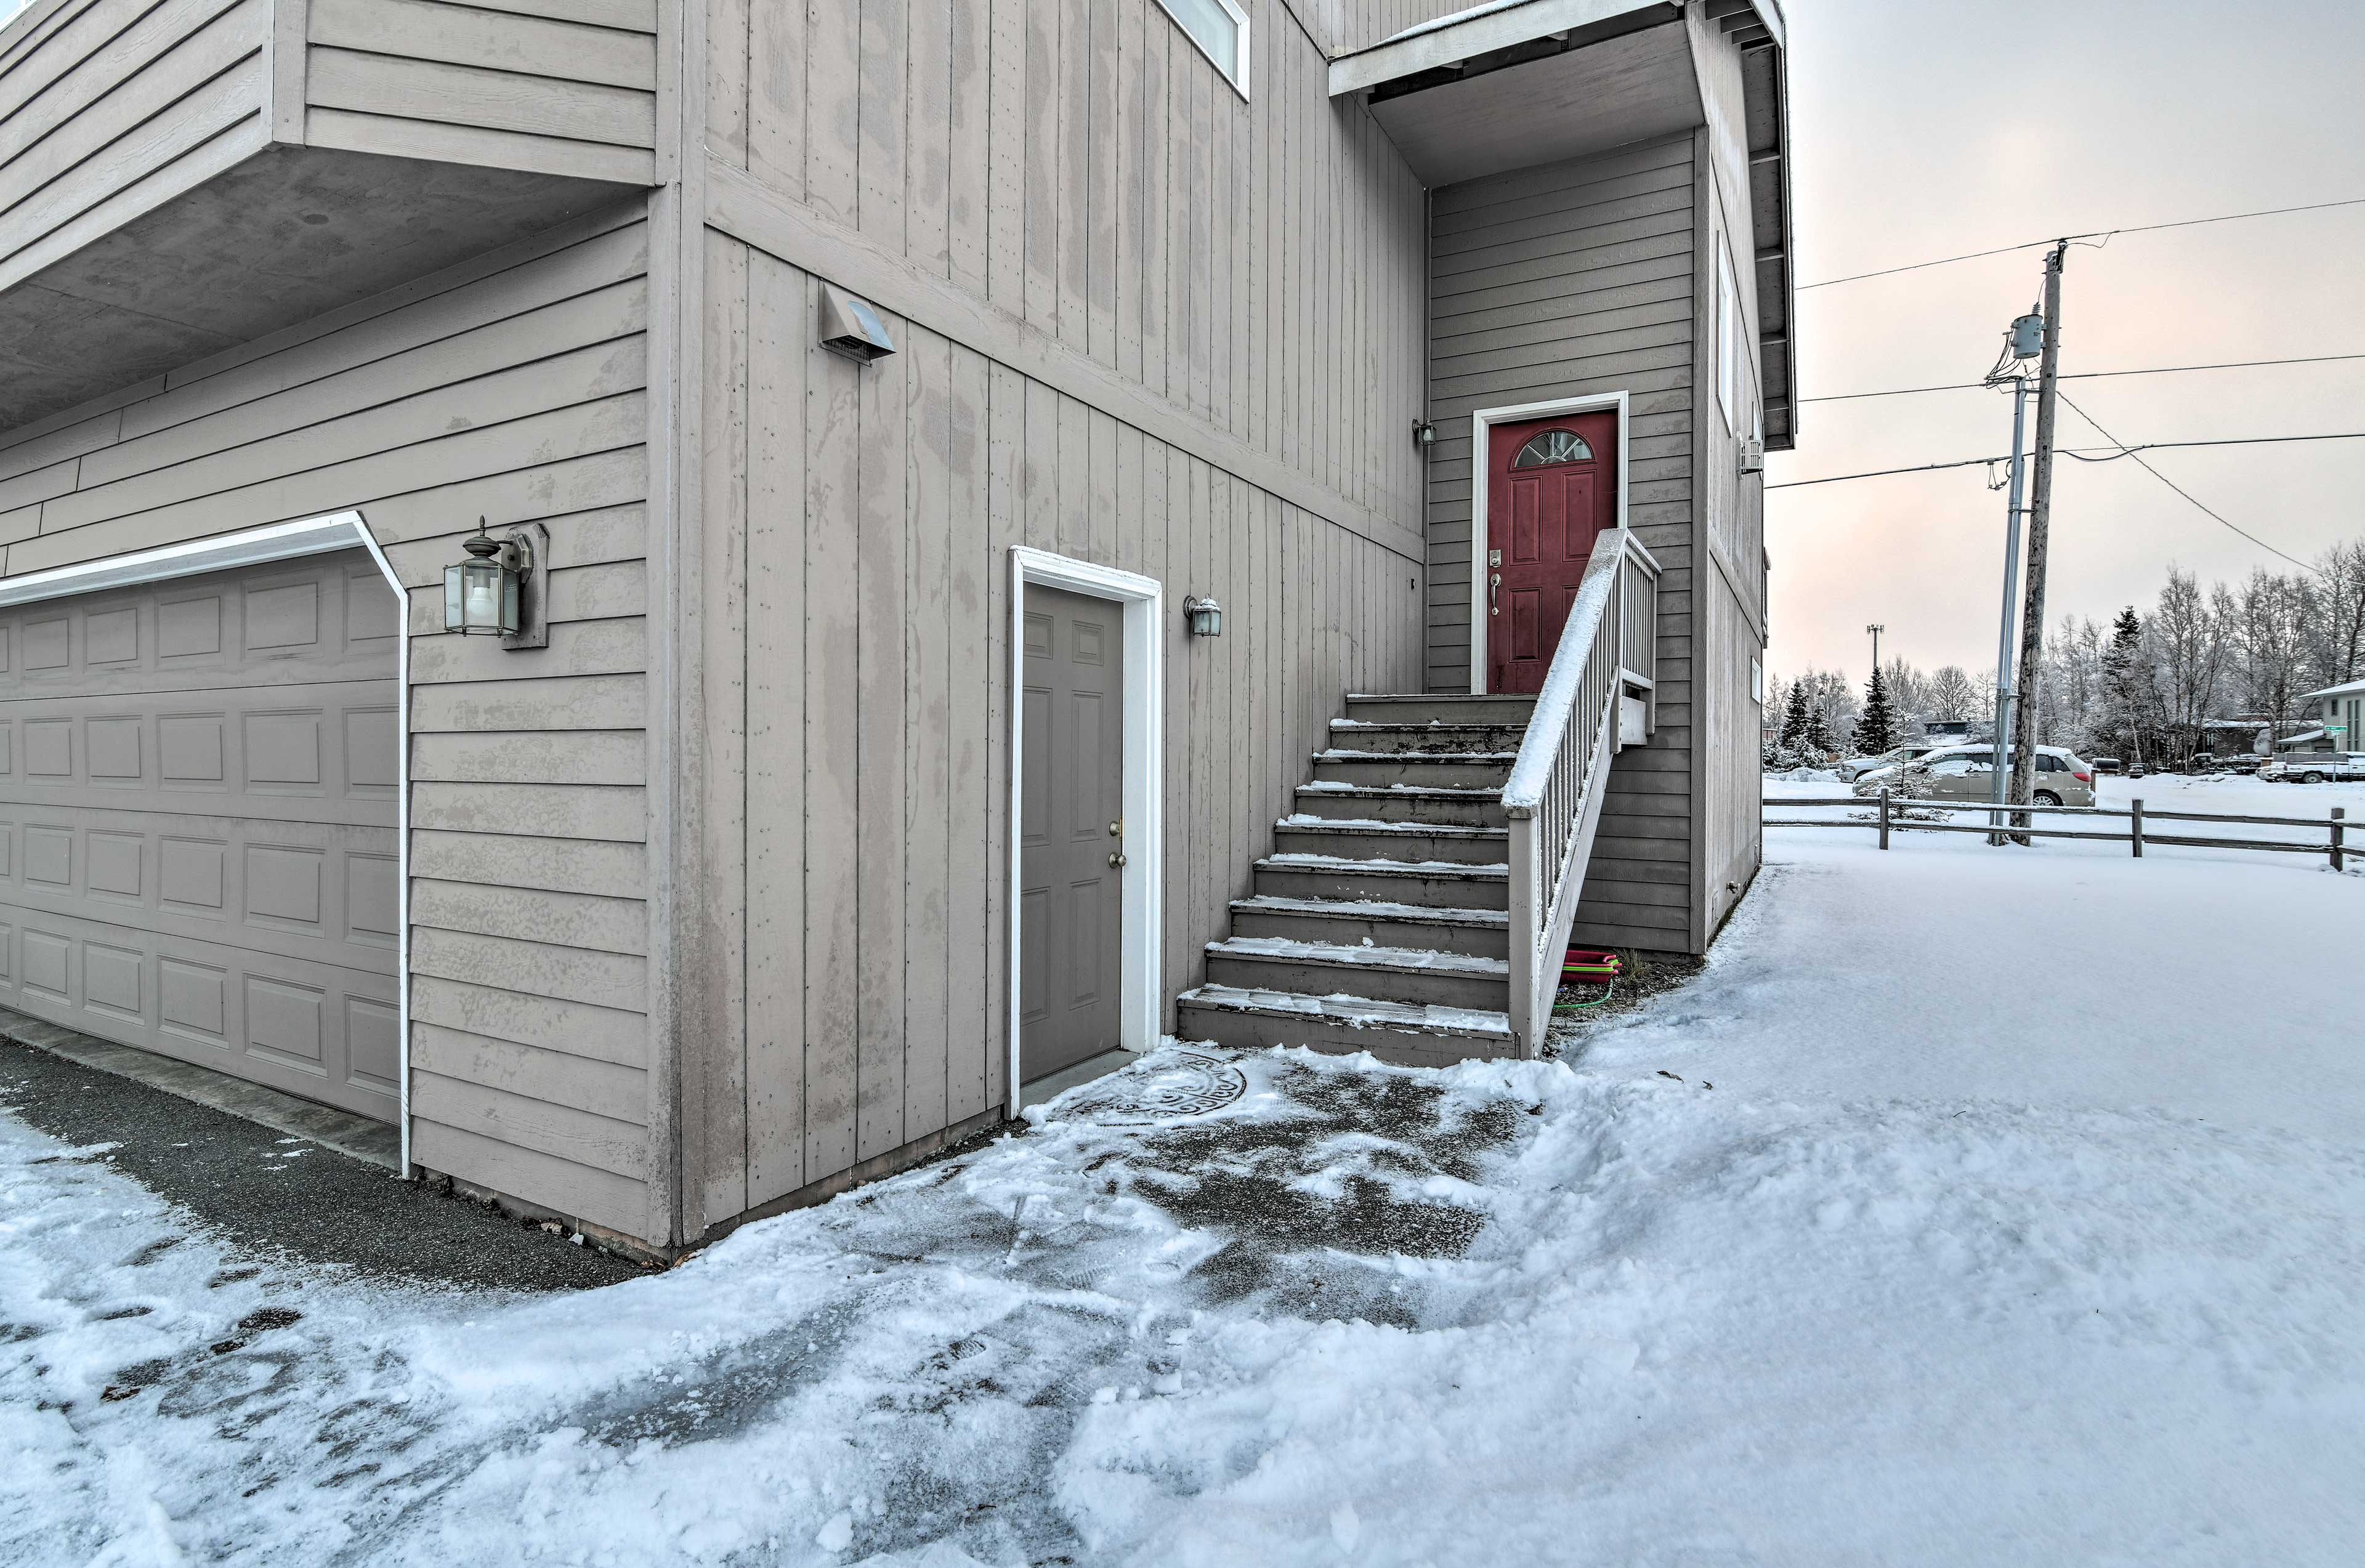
x=1073, y=798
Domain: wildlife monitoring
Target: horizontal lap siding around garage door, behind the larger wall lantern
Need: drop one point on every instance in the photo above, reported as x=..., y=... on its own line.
x=510, y=389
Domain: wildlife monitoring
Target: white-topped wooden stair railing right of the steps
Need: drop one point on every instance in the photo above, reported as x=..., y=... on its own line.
x=1600, y=696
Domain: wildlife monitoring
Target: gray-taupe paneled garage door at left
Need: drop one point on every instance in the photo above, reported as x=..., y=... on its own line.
x=197, y=822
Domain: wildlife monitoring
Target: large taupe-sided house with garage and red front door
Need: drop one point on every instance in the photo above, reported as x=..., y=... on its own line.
x=857, y=760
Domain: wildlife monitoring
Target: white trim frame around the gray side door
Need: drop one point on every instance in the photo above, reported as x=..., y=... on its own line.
x=1141, y=1006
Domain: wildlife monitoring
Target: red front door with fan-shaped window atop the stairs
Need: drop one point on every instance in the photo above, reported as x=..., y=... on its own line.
x=1553, y=488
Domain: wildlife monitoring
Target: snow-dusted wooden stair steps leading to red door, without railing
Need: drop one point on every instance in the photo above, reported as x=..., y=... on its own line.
x=1382, y=916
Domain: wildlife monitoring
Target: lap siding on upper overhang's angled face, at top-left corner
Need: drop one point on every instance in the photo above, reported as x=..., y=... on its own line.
x=112, y=108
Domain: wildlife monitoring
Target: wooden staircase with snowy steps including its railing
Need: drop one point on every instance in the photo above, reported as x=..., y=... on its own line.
x=1420, y=898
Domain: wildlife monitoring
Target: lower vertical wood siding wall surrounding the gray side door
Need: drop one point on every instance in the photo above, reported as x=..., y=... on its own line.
x=857, y=604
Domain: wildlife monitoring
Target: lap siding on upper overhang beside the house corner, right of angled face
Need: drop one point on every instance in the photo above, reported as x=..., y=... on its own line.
x=566, y=89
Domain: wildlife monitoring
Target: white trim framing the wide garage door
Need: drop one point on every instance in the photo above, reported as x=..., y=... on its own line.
x=337, y=531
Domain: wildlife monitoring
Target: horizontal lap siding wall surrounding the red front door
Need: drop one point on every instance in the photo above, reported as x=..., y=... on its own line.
x=1562, y=283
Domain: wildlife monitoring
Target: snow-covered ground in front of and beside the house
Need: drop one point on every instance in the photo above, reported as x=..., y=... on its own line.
x=1974, y=1207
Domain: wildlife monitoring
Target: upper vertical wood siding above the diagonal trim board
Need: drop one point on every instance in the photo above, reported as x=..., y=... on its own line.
x=1080, y=167
